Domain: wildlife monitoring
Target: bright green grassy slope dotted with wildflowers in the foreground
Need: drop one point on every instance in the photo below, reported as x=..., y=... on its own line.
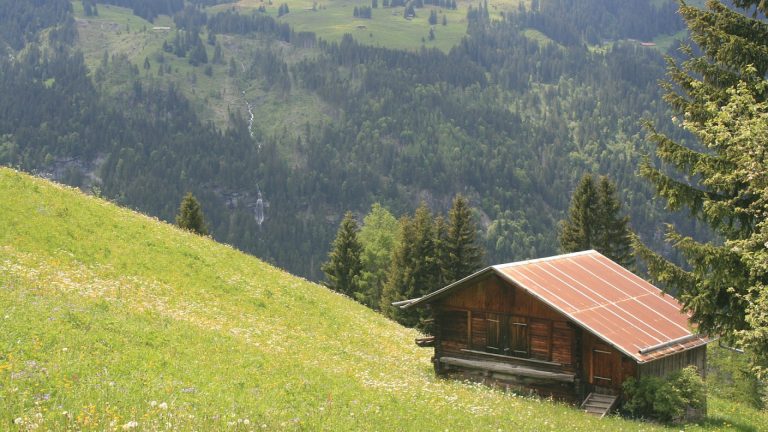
x=112, y=320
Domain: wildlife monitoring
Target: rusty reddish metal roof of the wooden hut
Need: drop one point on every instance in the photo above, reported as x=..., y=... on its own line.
x=604, y=298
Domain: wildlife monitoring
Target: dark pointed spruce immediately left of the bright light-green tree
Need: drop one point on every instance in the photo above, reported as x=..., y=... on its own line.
x=342, y=270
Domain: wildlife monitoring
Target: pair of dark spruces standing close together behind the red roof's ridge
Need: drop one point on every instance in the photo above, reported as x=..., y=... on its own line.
x=594, y=222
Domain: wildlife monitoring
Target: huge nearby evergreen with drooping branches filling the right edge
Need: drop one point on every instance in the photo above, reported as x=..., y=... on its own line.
x=720, y=99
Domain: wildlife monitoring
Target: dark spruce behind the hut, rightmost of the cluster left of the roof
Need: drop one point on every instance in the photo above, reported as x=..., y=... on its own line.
x=463, y=255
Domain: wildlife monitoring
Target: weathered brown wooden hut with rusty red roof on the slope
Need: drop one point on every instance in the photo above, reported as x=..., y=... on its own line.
x=572, y=326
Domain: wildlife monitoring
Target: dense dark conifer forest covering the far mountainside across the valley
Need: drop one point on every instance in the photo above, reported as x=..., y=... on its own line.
x=509, y=122
